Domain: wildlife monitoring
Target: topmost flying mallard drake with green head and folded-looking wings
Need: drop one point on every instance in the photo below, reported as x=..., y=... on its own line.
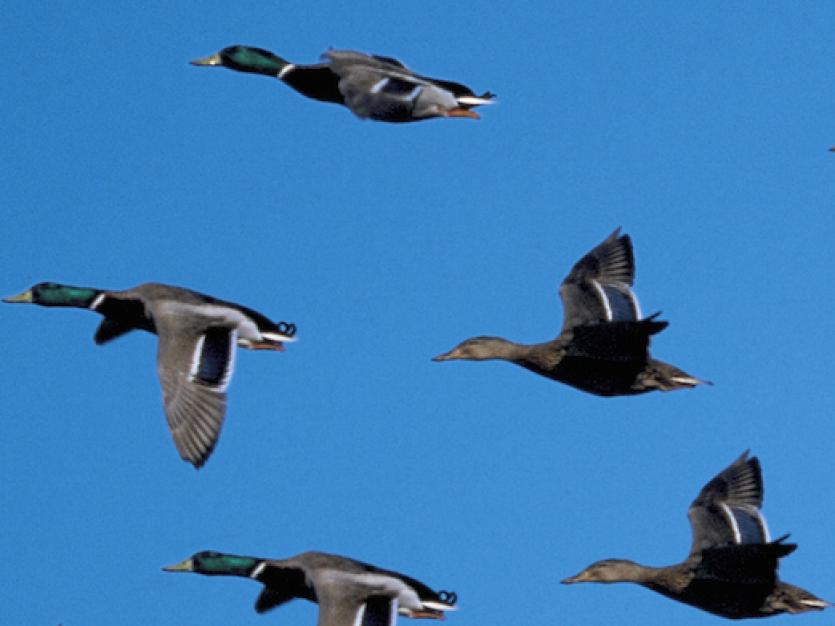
x=374, y=87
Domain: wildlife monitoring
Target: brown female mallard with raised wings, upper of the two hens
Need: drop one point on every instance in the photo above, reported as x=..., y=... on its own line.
x=603, y=347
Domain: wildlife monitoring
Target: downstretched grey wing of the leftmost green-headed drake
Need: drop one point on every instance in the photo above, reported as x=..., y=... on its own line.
x=195, y=366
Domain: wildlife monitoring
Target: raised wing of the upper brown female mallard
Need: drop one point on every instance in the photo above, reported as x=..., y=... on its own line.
x=598, y=287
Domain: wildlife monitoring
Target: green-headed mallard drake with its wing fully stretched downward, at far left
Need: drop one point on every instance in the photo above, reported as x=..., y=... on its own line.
x=196, y=355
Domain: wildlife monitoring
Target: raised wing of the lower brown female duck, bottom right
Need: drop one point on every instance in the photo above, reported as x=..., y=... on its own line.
x=727, y=509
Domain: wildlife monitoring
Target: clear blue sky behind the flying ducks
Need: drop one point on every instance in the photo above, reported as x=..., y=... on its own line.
x=702, y=131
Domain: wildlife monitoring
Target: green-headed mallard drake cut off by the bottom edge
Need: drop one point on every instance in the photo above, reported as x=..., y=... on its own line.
x=347, y=591
